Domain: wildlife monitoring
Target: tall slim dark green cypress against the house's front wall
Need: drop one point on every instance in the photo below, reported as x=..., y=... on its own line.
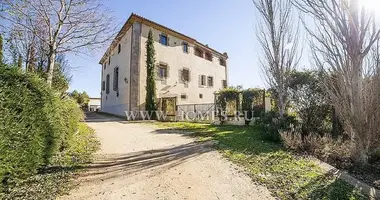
x=150, y=101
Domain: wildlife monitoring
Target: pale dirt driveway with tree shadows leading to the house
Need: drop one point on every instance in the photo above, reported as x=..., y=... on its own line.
x=139, y=162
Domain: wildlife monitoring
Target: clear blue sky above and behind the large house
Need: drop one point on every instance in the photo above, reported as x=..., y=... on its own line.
x=225, y=25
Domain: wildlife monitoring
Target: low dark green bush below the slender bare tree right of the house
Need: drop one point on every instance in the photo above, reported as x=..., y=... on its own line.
x=271, y=124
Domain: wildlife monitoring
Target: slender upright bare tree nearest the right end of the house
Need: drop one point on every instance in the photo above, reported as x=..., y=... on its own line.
x=278, y=38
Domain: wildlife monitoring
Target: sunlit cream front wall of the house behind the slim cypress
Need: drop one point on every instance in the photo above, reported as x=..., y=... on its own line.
x=176, y=59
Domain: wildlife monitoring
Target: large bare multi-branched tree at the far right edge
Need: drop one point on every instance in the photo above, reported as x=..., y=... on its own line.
x=342, y=41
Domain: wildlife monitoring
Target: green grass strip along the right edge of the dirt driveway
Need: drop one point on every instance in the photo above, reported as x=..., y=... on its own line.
x=285, y=174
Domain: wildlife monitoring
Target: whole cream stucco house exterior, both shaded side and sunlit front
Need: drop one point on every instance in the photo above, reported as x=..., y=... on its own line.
x=128, y=53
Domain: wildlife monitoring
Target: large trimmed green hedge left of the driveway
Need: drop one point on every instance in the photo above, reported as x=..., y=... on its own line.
x=35, y=124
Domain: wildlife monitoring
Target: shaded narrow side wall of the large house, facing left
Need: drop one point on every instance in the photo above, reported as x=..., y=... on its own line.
x=110, y=102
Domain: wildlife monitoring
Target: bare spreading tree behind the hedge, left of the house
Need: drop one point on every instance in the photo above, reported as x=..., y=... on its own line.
x=67, y=25
